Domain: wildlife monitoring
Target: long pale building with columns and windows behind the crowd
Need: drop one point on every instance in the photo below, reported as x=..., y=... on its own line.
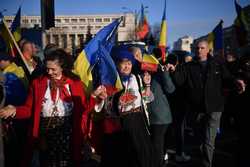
x=72, y=30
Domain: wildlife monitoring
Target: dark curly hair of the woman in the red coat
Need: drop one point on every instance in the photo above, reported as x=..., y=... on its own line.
x=64, y=60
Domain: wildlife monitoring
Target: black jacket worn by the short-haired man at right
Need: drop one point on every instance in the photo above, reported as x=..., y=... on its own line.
x=204, y=88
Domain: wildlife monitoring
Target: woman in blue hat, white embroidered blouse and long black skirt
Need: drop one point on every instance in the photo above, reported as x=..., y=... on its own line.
x=131, y=145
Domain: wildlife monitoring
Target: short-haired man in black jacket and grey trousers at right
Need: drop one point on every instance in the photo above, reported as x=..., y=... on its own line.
x=203, y=80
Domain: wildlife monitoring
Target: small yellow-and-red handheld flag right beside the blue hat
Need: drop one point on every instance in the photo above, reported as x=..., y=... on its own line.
x=149, y=63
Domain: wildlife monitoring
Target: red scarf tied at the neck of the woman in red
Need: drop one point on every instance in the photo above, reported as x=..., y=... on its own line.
x=63, y=91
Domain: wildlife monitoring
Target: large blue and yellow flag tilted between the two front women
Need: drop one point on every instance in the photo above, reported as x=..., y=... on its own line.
x=91, y=56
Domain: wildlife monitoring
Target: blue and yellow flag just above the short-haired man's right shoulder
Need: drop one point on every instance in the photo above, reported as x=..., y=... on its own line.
x=215, y=38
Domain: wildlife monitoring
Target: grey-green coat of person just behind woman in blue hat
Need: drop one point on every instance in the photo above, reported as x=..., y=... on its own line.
x=161, y=86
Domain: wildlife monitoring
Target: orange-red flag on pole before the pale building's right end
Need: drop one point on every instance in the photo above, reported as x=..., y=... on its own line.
x=143, y=27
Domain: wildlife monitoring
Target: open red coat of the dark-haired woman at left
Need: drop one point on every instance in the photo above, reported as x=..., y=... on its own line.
x=32, y=109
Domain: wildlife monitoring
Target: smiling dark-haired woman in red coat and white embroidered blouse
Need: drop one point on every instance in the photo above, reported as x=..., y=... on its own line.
x=58, y=107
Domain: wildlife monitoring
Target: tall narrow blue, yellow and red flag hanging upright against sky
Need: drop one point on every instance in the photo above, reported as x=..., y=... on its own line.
x=163, y=35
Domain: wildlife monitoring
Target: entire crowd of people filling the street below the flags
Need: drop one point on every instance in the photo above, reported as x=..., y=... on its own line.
x=48, y=120
